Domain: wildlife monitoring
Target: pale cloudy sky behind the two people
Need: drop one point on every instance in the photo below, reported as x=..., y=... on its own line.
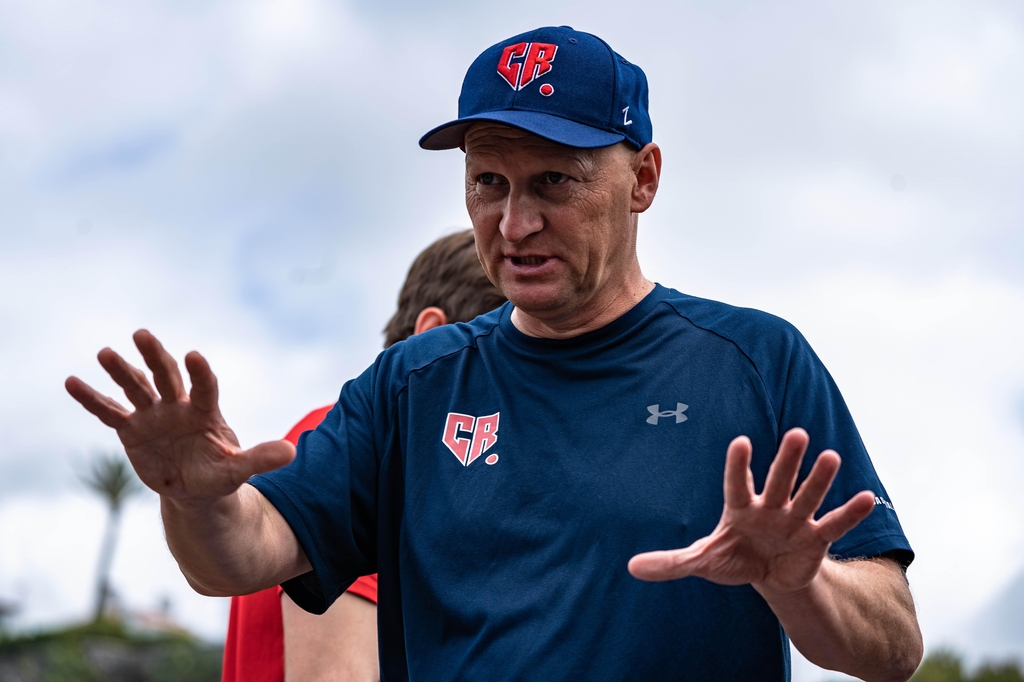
x=244, y=179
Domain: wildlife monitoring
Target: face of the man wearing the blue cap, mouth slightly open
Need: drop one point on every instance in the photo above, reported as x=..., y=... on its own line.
x=554, y=228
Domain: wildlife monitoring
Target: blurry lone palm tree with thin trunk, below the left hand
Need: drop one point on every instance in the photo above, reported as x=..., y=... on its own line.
x=112, y=479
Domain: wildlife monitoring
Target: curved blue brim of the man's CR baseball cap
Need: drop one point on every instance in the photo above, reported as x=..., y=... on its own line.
x=558, y=130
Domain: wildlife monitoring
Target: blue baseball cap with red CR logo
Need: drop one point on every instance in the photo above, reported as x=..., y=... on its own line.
x=564, y=86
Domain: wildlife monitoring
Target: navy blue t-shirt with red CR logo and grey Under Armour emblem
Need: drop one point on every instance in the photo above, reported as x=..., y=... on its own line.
x=499, y=485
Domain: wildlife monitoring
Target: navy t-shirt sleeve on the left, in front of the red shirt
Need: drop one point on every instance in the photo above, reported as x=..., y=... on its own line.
x=329, y=498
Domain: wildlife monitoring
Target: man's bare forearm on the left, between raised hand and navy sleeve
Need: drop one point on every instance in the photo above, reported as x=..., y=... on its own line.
x=237, y=544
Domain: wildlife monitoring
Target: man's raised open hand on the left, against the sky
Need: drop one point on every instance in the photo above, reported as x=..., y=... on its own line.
x=179, y=443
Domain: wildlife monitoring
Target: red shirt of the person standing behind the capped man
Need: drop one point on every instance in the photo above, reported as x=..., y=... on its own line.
x=254, y=651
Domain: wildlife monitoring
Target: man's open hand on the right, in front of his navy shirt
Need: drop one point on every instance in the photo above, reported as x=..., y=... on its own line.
x=770, y=541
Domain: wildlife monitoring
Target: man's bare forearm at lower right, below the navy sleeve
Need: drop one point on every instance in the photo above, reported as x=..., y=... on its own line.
x=857, y=618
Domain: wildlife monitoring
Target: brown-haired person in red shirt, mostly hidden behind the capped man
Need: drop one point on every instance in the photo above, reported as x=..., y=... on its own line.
x=270, y=640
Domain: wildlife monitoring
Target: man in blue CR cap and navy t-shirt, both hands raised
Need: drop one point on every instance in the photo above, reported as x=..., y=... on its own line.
x=502, y=476
